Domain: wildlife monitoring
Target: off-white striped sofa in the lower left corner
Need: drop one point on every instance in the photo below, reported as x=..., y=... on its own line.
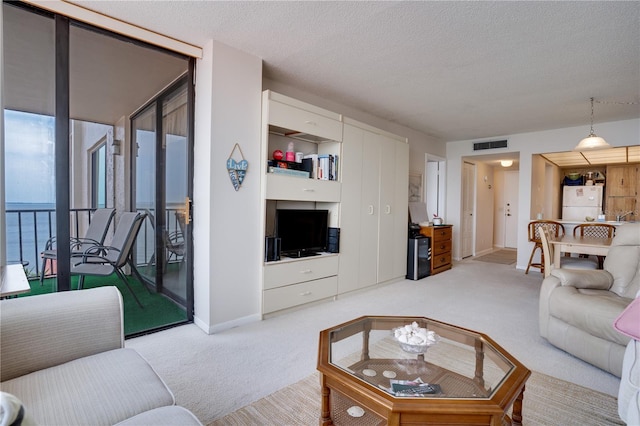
x=62, y=355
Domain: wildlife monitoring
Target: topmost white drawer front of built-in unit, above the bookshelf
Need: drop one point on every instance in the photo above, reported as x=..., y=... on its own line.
x=299, y=120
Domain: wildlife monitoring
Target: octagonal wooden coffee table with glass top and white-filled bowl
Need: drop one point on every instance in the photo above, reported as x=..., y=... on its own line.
x=367, y=378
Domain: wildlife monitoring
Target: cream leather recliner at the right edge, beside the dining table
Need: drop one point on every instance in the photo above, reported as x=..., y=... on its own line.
x=577, y=308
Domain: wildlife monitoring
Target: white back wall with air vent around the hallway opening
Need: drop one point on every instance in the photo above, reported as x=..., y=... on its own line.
x=619, y=133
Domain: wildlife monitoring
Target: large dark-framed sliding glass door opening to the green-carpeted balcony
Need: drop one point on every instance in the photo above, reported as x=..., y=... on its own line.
x=71, y=91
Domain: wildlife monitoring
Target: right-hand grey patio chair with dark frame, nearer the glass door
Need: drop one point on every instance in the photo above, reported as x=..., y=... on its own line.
x=105, y=260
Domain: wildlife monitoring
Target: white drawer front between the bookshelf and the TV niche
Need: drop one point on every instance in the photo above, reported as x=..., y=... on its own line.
x=292, y=188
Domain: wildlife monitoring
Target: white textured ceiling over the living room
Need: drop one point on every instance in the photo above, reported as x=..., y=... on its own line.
x=453, y=70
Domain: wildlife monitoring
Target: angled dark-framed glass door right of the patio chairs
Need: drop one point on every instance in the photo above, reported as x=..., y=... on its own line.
x=161, y=181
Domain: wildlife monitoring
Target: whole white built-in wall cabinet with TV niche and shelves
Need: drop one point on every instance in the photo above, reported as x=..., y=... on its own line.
x=368, y=202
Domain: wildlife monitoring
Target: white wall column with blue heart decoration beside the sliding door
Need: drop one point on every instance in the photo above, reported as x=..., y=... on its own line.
x=226, y=223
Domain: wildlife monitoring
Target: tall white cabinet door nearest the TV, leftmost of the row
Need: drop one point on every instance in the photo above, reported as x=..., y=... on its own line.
x=350, y=209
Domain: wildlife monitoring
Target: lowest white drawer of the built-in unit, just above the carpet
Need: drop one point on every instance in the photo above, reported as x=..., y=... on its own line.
x=298, y=294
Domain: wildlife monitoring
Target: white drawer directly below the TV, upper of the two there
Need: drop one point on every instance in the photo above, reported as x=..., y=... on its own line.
x=291, y=272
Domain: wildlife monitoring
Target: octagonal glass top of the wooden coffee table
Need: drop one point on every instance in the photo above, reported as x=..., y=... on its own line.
x=461, y=364
